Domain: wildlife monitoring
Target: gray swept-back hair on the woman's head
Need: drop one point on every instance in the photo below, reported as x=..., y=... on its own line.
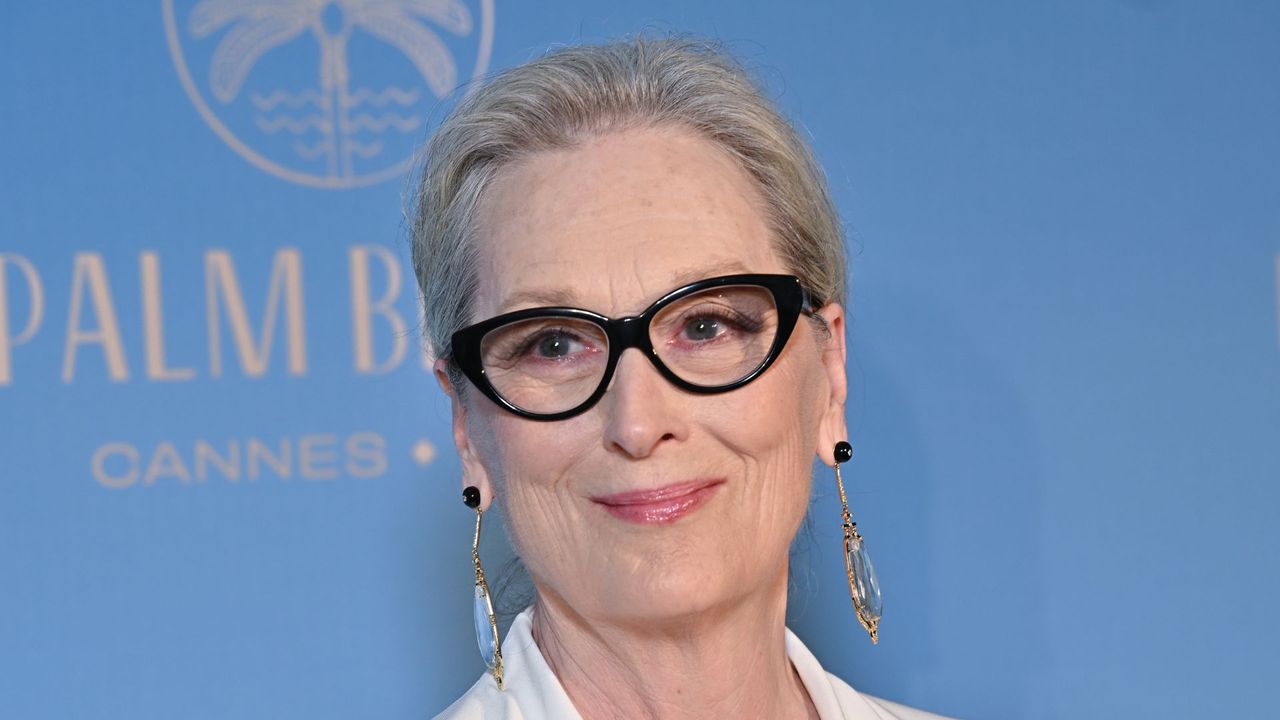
x=578, y=93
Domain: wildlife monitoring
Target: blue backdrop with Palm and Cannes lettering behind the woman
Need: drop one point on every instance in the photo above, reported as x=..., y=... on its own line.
x=227, y=487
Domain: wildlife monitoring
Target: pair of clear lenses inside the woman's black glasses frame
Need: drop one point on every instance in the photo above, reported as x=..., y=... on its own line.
x=708, y=339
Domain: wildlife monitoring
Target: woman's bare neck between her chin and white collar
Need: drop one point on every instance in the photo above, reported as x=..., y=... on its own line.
x=726, y=663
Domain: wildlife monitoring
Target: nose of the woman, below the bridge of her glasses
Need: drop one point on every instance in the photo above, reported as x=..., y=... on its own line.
x=642, y=409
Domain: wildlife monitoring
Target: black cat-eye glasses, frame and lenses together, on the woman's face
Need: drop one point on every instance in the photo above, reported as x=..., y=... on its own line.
x=711, y=336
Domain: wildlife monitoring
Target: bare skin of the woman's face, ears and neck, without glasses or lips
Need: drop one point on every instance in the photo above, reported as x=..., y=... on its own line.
x=673, y=621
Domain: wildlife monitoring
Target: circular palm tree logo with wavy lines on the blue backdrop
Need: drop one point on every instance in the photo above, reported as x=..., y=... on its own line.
x=332, y=131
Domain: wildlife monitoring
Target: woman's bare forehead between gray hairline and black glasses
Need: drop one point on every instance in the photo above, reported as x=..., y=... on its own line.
x=616, y=222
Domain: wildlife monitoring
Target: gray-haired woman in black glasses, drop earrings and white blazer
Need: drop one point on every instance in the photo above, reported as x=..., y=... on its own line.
x=634, y=280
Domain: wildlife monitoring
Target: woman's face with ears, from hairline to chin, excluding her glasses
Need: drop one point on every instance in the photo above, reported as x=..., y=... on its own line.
x=611, y=226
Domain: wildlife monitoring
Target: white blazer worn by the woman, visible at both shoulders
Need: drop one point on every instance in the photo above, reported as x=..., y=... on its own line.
x=533, y=692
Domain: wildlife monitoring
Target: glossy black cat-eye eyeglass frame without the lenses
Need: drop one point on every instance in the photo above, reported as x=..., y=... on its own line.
x=790, y=300
